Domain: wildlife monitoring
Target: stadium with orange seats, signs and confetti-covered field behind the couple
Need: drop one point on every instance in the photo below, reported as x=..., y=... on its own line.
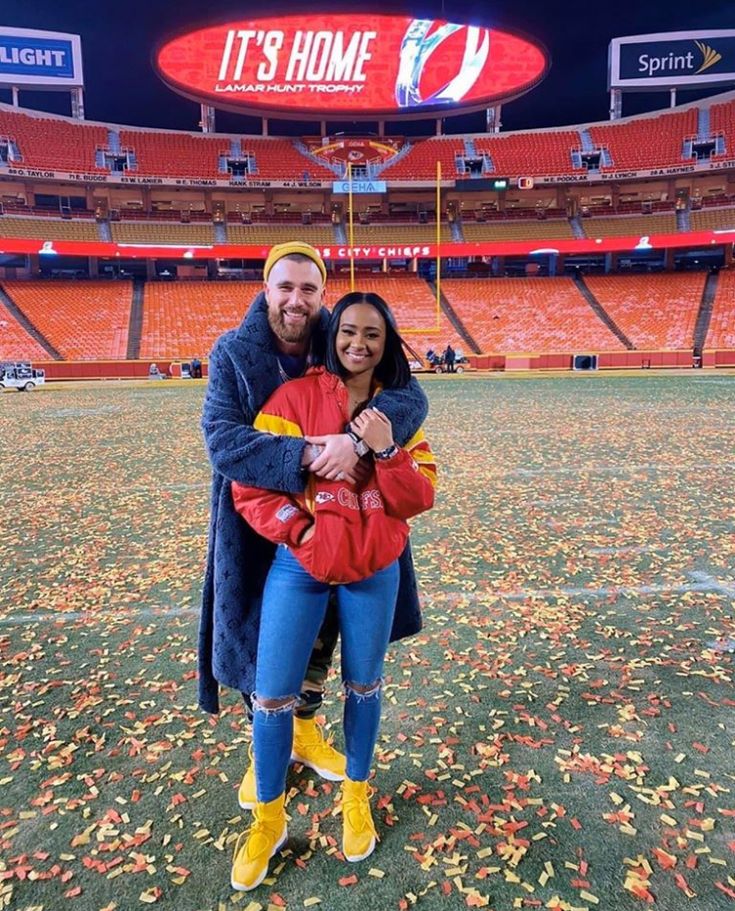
x=560, y=734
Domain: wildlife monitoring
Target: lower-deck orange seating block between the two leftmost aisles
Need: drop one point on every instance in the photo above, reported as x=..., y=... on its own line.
x=82, y=320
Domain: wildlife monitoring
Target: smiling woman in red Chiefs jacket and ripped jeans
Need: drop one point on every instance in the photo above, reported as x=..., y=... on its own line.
x=336, y=534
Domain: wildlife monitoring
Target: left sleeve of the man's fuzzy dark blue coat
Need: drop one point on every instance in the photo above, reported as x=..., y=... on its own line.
x=235, y=449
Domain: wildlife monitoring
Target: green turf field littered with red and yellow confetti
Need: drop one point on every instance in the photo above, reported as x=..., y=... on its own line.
x=559, y=724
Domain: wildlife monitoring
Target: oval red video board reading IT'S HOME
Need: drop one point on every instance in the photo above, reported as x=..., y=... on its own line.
x=357, y=66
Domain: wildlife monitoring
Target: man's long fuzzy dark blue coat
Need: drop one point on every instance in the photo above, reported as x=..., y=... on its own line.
x=243, y=372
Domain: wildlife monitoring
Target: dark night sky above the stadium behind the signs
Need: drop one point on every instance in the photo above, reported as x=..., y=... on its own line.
x=117, y=39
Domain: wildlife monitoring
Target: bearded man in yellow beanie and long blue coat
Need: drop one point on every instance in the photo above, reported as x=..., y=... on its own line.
x=282, y=333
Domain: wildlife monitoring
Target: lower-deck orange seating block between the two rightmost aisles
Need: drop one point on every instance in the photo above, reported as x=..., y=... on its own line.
x=655, y=311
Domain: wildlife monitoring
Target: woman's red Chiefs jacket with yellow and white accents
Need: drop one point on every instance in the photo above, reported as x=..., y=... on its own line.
x=358, y=530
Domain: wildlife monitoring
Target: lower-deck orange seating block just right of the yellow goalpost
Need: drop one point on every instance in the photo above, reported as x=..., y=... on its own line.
x=528, y=315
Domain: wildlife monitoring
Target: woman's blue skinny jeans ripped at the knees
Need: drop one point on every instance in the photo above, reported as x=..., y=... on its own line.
x=294, y=605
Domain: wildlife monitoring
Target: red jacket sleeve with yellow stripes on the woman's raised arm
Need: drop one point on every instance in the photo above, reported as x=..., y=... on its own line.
x=408, y=480
